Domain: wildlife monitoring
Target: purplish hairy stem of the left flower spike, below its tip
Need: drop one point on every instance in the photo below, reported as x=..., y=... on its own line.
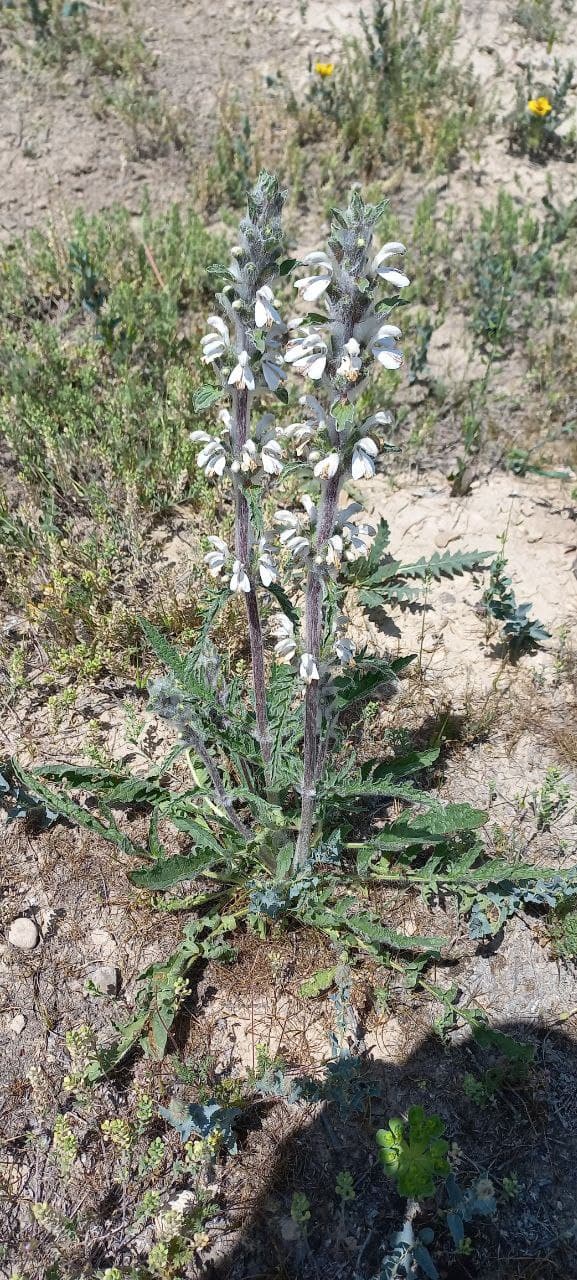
x=242, y=545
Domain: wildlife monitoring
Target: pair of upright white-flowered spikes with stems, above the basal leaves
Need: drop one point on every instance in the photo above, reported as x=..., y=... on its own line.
x=306, y=557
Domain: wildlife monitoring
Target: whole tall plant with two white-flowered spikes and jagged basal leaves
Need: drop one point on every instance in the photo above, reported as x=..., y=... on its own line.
x=277, y=793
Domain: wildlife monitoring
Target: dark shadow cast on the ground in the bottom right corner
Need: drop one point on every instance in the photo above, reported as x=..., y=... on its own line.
x=524, y=1139
